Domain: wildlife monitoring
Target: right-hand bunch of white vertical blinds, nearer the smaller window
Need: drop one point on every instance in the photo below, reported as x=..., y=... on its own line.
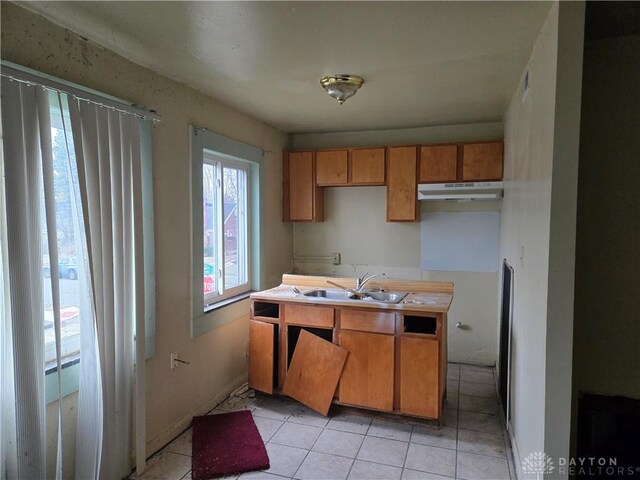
x=107, y=147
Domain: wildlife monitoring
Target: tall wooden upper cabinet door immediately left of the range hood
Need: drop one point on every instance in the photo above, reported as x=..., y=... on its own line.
x=402, y=195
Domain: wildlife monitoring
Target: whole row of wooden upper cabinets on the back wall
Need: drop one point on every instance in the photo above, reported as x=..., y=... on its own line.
x=400, y=168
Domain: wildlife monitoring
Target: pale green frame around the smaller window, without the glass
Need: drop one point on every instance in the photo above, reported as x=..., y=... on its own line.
x=205, y=318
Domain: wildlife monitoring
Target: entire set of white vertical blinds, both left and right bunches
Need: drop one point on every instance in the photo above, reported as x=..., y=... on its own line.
x=108, y=216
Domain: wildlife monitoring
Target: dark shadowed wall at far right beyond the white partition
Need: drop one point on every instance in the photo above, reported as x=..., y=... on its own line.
x=607, y=311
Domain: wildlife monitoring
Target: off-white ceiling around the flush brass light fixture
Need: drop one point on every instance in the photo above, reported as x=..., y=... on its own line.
x=424, y=63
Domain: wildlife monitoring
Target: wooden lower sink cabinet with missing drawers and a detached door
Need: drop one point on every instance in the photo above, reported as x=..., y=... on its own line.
x=395, y=362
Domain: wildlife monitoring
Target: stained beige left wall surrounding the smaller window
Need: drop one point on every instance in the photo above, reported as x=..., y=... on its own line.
x=218, y=358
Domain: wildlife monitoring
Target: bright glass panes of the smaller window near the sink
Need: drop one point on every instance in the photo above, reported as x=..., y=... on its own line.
x=225, y=226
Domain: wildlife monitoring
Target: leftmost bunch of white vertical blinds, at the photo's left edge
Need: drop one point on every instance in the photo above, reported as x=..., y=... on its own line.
x=22, y=424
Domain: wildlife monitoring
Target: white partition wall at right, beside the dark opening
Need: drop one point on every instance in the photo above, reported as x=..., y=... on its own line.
x=538, y=233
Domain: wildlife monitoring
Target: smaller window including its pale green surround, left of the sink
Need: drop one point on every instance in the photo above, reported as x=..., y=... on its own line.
x=225, y=210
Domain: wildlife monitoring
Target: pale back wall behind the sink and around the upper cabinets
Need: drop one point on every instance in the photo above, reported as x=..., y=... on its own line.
x=355, y=226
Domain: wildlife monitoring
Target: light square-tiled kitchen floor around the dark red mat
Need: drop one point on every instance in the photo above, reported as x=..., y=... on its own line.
x=356, y=444
